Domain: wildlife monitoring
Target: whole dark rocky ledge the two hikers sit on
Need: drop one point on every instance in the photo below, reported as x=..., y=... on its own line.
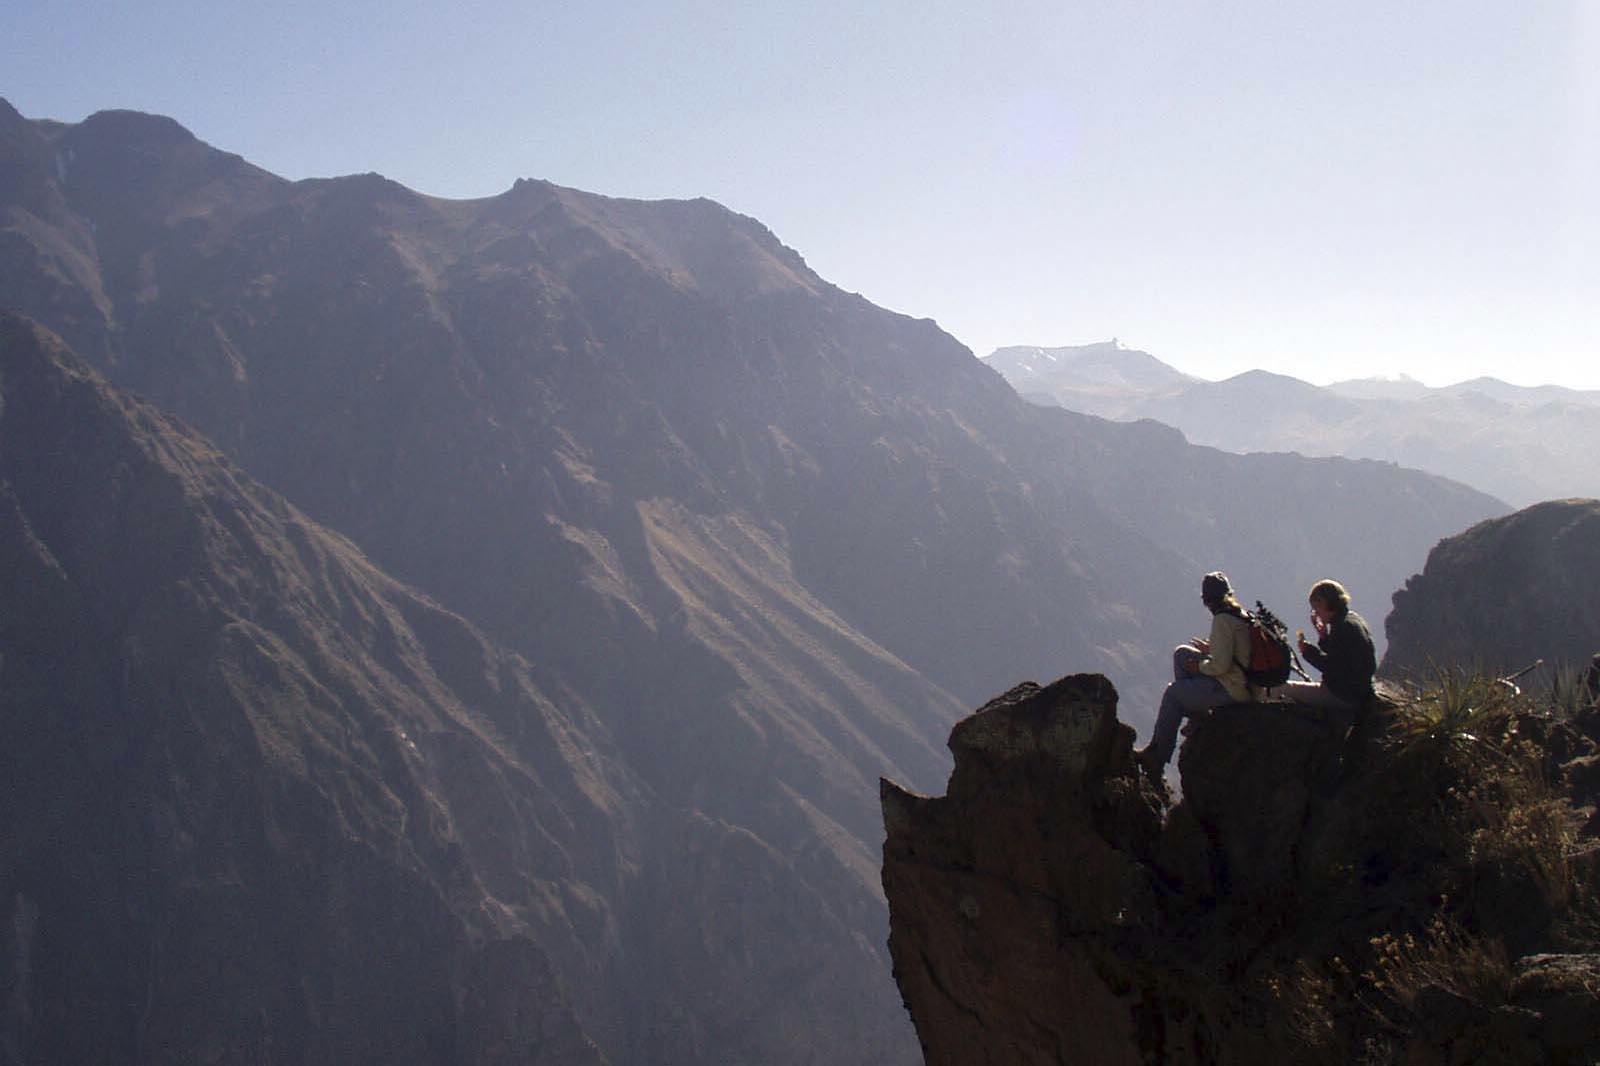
x=1393, y=896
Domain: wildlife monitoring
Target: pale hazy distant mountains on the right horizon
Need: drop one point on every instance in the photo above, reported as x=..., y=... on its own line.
x=1518, y=444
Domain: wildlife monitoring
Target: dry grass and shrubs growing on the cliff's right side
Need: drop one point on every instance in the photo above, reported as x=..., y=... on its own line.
x=1468, y=785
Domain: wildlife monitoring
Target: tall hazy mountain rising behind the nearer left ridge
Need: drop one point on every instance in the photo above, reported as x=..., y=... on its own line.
x=770, y=537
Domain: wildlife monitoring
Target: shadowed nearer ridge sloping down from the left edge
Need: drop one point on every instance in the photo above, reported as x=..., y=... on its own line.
x=263, y=803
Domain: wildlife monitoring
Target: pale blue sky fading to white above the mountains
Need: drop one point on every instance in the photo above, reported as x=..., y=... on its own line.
x=1319, y=190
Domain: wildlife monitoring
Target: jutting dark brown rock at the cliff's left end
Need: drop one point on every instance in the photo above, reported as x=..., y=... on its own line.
x=1010, y=894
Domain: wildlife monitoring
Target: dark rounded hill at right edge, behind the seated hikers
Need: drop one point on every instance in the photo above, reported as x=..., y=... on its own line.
x=1503, y=595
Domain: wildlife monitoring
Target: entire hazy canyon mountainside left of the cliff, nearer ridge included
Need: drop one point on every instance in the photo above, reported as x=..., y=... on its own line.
x=559, y=574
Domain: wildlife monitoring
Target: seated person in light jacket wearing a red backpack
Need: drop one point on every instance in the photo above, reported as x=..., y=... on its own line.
x=1206, y=673
